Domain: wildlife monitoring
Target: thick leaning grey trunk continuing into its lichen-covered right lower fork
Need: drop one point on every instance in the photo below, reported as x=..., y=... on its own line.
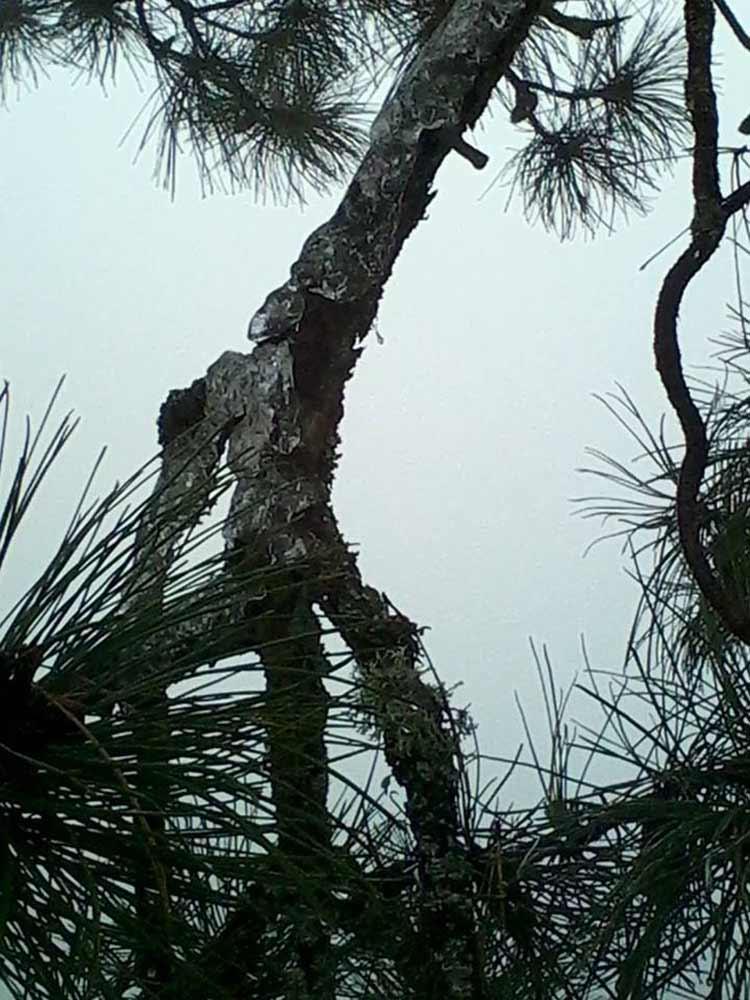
x=284, y=402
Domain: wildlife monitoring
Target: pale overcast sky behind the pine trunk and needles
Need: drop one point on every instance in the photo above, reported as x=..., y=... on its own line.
x=463, y=429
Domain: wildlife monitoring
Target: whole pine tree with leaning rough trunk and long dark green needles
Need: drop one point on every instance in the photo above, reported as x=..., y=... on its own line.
x=165, y=838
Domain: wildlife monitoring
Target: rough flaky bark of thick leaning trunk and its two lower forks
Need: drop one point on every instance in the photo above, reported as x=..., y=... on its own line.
x=277, y=409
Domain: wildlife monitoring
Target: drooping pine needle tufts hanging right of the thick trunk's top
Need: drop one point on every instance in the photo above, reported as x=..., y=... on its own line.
x=609, y=118
